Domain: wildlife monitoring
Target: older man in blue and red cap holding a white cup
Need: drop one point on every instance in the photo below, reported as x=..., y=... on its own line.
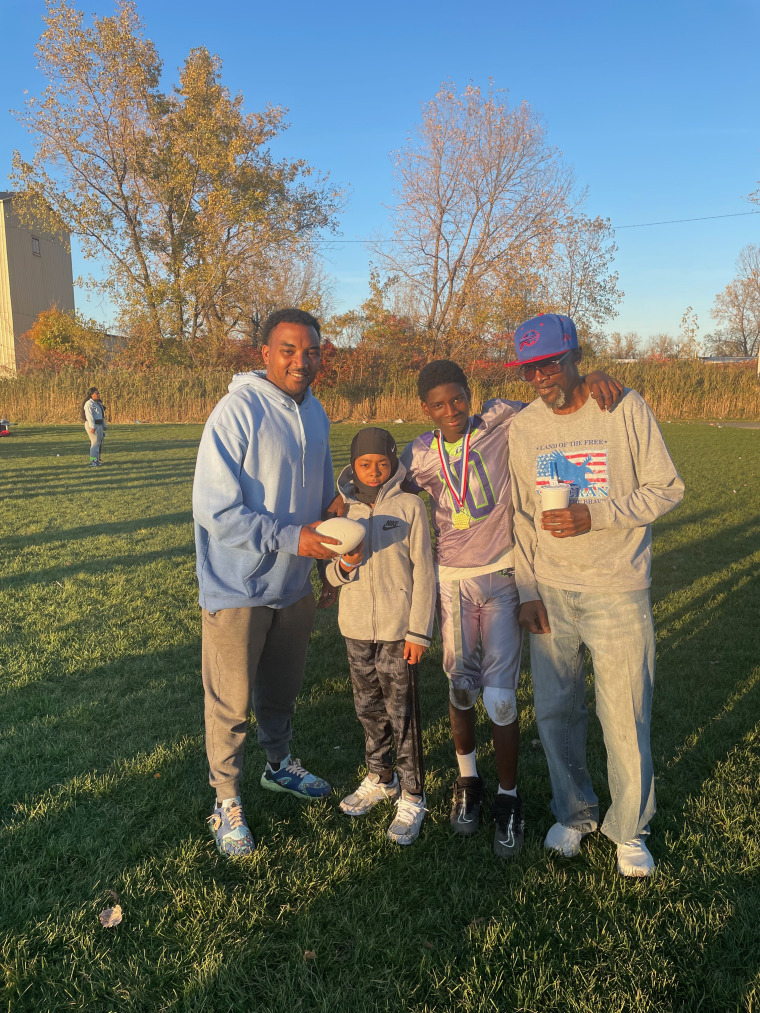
x=583, y=577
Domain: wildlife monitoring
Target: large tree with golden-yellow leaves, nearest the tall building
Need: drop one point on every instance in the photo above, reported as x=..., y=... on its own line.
x=176, y=194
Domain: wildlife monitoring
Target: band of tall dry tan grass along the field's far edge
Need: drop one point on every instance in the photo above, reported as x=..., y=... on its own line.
x=675, y=391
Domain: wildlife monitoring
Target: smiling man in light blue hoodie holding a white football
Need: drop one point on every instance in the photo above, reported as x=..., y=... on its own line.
x=264, y=481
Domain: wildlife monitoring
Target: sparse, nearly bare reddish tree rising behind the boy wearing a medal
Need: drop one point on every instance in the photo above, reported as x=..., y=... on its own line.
x=478, y=190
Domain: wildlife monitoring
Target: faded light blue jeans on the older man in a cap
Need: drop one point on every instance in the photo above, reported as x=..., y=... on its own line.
x=619, y=631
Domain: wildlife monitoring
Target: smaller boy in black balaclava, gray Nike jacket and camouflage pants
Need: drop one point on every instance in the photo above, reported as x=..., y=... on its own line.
x=386, y=613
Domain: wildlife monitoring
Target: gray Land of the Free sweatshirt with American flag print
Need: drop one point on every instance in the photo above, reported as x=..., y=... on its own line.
x=618, y=464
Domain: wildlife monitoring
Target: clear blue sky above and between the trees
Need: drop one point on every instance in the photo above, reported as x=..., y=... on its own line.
x=655, y=105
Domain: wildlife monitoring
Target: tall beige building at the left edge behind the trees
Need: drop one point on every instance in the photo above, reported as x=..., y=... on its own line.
x=35, y=275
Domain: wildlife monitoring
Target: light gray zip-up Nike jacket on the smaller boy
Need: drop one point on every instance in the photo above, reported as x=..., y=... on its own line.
x=392, y=596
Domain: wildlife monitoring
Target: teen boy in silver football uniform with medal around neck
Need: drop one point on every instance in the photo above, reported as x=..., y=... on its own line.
x=464, y=465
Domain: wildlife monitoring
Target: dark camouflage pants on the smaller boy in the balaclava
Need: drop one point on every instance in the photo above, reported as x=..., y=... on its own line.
x=388, y=706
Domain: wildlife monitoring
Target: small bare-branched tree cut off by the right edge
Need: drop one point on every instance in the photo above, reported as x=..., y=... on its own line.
x=737, y=308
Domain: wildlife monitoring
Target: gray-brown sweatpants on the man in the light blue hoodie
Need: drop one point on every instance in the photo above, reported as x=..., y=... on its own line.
x=252, y=657
